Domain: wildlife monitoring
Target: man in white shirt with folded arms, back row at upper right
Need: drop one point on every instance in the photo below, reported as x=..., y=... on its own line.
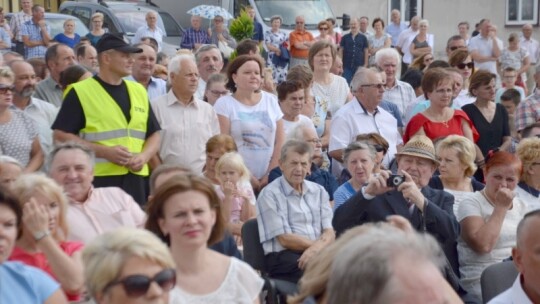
x=485, y=48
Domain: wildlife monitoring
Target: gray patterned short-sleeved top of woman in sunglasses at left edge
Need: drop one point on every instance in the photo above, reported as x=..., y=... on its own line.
x=17, y=136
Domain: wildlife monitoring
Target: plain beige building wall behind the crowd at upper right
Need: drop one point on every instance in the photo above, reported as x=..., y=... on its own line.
x=443, y=16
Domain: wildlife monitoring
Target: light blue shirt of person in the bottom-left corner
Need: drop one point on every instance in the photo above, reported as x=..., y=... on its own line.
x=20, y=283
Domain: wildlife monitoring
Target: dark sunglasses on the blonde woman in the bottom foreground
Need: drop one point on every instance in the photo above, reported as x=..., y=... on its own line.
x=138, y=285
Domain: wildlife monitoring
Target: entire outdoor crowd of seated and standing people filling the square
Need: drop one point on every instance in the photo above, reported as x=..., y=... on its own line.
x=373, y=171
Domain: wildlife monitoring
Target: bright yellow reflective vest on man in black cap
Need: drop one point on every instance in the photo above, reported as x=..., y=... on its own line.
x=106, y=124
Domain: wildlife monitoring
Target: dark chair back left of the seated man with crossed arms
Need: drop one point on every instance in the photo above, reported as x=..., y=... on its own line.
x=253, y=251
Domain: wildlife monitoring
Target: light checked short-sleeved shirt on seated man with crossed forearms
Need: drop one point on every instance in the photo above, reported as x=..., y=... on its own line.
x=283, y=210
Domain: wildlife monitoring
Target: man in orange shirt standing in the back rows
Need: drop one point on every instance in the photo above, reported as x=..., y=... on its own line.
x=301, y=40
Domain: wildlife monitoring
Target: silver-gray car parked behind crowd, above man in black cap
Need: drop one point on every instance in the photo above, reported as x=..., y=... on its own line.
x=126, y=18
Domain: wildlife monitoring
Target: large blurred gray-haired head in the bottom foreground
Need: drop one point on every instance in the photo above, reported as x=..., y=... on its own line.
x=387, y=265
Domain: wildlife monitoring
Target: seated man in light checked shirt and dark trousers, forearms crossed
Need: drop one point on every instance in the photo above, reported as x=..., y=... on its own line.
x=294, y=215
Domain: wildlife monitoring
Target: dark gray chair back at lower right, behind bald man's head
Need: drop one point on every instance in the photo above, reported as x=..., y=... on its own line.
x=497, y=278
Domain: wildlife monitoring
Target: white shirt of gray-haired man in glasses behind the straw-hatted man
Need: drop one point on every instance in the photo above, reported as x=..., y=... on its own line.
x=352, y=120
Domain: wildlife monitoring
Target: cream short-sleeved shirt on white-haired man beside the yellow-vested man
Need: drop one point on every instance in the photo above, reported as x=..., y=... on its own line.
x=185, y=129
